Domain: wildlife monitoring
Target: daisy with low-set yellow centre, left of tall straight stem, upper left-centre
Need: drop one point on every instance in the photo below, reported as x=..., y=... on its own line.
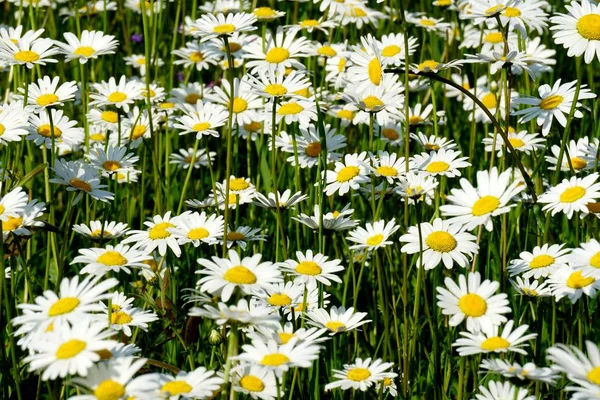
x=202, y=119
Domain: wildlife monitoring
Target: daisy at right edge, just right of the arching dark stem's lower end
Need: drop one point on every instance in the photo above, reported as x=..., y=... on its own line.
x=571, y=195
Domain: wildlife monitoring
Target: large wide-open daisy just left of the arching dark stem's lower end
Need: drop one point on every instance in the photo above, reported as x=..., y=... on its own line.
x=473, y=207
